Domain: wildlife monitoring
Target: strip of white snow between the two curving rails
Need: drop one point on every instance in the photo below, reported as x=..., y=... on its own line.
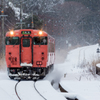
x=26, y=91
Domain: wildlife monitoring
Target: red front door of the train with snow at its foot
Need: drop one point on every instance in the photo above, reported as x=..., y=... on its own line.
x=26, y=51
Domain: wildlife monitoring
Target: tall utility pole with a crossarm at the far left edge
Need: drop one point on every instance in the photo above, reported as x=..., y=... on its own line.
x=2, y=28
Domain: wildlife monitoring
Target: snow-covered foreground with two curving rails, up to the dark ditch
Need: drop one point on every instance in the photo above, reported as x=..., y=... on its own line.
x=28, y=90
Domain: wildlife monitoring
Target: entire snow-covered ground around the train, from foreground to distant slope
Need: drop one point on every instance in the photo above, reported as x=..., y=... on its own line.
x=76, y=75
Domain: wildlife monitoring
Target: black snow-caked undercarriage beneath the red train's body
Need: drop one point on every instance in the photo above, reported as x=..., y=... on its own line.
x=29, y=73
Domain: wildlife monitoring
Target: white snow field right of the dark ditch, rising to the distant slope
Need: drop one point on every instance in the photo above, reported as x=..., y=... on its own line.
x=79, y=73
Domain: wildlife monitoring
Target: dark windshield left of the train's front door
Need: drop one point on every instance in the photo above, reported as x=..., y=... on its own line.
x=12, y=40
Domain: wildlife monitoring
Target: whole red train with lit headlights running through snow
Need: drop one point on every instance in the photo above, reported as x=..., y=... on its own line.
x=29, y=53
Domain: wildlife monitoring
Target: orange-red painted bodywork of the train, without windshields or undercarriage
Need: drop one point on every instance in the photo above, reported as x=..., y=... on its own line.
x=37, y=55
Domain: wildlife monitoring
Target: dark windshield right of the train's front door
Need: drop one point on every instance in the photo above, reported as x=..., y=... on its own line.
x=40, y=41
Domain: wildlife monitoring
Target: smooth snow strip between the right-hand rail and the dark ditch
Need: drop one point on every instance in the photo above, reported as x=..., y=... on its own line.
x=47, y=91
